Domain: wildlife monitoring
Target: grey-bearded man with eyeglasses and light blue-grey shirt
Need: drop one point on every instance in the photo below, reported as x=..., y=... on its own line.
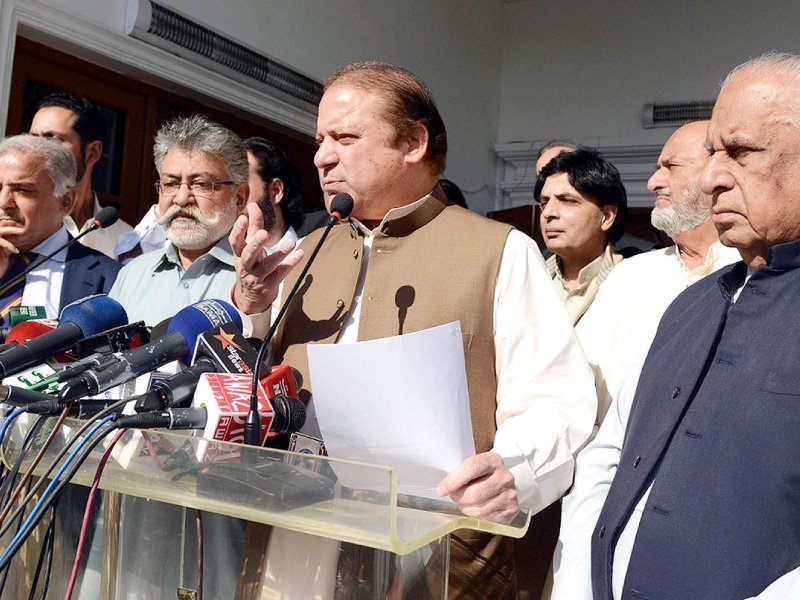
x=202, y=187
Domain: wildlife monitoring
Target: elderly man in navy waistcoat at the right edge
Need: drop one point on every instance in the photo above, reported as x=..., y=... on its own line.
x=705, y=503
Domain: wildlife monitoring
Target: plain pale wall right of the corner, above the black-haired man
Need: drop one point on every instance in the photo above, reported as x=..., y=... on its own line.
x=584, y=69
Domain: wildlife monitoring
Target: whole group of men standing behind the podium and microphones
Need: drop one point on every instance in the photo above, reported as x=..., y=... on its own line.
x=670, y=375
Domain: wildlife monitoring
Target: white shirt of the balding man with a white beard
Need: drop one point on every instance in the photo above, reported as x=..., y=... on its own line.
x=616, y=333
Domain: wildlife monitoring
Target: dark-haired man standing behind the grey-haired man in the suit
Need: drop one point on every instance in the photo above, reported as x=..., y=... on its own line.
x=78, y=123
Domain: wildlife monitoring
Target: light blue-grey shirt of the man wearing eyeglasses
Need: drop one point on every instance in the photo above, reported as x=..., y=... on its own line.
x=154, y=286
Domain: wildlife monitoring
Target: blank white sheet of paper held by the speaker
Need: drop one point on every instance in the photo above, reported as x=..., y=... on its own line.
x=400, y=401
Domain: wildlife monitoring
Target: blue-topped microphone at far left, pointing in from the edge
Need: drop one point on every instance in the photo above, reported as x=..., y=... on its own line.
x=83, y=318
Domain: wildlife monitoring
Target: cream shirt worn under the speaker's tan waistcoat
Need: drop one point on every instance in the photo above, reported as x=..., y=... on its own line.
x=545, y=396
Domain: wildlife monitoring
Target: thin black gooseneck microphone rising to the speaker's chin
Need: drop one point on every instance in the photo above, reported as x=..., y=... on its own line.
x=341, y=207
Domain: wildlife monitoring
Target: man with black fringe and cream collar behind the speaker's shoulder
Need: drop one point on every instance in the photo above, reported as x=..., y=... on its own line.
x=583, y=206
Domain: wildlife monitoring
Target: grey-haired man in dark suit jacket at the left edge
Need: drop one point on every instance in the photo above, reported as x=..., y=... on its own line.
x=37, y=176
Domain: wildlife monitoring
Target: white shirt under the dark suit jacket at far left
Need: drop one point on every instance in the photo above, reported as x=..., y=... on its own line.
x=43, y=284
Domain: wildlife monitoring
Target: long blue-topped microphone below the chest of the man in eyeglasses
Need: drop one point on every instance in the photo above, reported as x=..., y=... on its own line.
x=177, y=344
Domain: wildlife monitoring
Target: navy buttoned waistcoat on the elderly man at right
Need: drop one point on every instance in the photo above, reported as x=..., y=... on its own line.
x=716, y=425
